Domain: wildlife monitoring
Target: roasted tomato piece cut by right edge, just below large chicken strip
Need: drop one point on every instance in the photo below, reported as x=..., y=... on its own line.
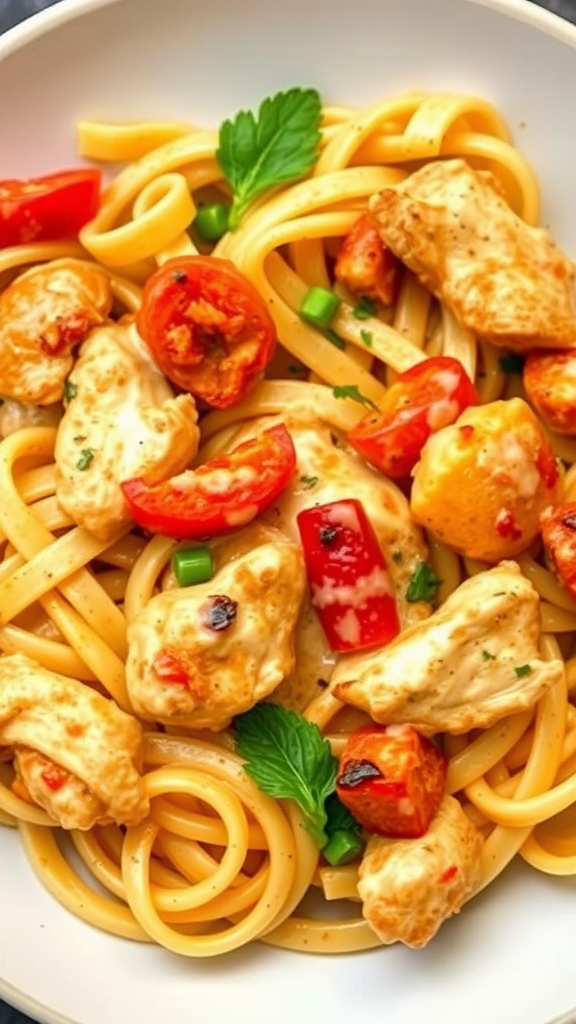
x=550, y=382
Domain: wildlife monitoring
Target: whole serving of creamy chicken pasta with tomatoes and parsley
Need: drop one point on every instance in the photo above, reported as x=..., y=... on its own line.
x=289, y=568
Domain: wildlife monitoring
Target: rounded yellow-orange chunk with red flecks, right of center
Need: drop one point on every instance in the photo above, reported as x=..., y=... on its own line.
x=483, y=483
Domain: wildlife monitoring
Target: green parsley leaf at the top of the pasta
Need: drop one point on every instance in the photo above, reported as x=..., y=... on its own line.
x=278, y=145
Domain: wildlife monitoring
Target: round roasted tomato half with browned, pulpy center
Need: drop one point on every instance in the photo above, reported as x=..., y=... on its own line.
x=208, y=327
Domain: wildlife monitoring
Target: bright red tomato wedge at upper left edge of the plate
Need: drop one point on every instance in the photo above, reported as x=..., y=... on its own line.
x=49, y=209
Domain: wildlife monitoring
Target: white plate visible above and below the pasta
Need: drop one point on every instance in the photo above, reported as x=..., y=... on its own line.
x=510, y=958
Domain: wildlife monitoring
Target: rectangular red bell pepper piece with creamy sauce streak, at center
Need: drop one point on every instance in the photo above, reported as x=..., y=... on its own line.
x=349, y=578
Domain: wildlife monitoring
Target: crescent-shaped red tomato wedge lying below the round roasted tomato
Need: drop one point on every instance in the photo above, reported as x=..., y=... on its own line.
x=221, y=496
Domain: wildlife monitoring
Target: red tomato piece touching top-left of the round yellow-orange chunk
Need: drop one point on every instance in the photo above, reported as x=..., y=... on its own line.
x=430, y=396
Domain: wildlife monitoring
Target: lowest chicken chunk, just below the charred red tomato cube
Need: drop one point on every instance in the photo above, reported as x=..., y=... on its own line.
x=409, y=887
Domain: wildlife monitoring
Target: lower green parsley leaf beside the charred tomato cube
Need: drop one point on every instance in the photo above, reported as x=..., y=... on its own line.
x=290, y=759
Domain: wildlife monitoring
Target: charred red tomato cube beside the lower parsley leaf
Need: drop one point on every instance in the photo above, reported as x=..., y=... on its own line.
x=392, y=780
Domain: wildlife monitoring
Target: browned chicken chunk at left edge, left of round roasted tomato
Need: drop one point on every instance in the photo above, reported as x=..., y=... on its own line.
x=45, y=315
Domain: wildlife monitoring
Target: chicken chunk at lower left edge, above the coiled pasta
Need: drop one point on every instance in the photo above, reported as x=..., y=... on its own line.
x=76, y=753
